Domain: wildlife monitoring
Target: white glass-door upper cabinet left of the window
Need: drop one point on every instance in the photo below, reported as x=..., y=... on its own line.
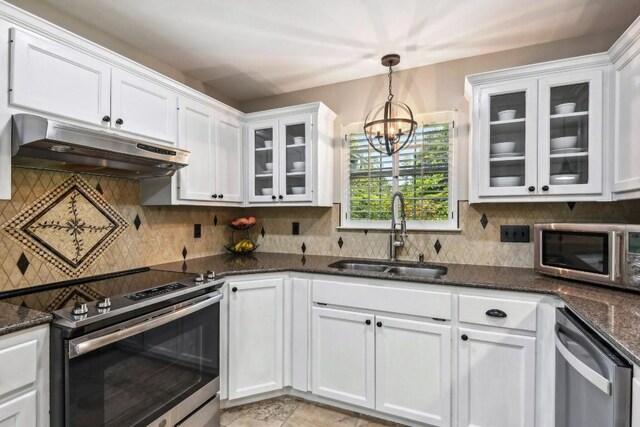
x=287, y=149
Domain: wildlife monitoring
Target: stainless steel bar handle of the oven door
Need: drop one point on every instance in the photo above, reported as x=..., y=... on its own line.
x=83, y=345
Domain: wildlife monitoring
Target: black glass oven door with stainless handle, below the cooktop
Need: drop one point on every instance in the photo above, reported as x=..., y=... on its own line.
x=135, y=372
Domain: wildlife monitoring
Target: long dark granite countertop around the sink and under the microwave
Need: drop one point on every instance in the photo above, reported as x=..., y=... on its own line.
x=615, y=314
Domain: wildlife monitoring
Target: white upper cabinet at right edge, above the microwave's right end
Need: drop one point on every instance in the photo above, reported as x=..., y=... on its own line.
x=625, y=55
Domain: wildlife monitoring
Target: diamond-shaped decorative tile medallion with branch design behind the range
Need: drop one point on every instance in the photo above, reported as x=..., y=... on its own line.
x=69, y=227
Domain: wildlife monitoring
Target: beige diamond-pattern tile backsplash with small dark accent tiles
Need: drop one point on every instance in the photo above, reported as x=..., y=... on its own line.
x=164, y=234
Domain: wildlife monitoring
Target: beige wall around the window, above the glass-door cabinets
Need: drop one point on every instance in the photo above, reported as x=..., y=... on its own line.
x=430, y=88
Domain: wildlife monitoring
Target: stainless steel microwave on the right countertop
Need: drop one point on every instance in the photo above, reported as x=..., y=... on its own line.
x=607, y=254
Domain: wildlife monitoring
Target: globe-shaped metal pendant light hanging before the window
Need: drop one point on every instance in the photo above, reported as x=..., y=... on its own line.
x=390, y=126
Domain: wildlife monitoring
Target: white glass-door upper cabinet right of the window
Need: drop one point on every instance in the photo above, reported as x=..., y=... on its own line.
x=538, y=132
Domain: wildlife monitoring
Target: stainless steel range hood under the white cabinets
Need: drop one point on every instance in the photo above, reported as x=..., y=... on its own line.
x=38, y=142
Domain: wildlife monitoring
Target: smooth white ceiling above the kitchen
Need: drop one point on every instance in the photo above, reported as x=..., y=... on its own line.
x=248, y=49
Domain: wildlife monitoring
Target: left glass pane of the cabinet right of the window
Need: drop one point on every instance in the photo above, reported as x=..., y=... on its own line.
x=507, y=131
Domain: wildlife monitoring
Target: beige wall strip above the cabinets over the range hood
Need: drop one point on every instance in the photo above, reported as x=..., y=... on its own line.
x=59, y=18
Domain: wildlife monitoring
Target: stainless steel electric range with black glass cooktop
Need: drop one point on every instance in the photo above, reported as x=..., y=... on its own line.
x=136, y=348
